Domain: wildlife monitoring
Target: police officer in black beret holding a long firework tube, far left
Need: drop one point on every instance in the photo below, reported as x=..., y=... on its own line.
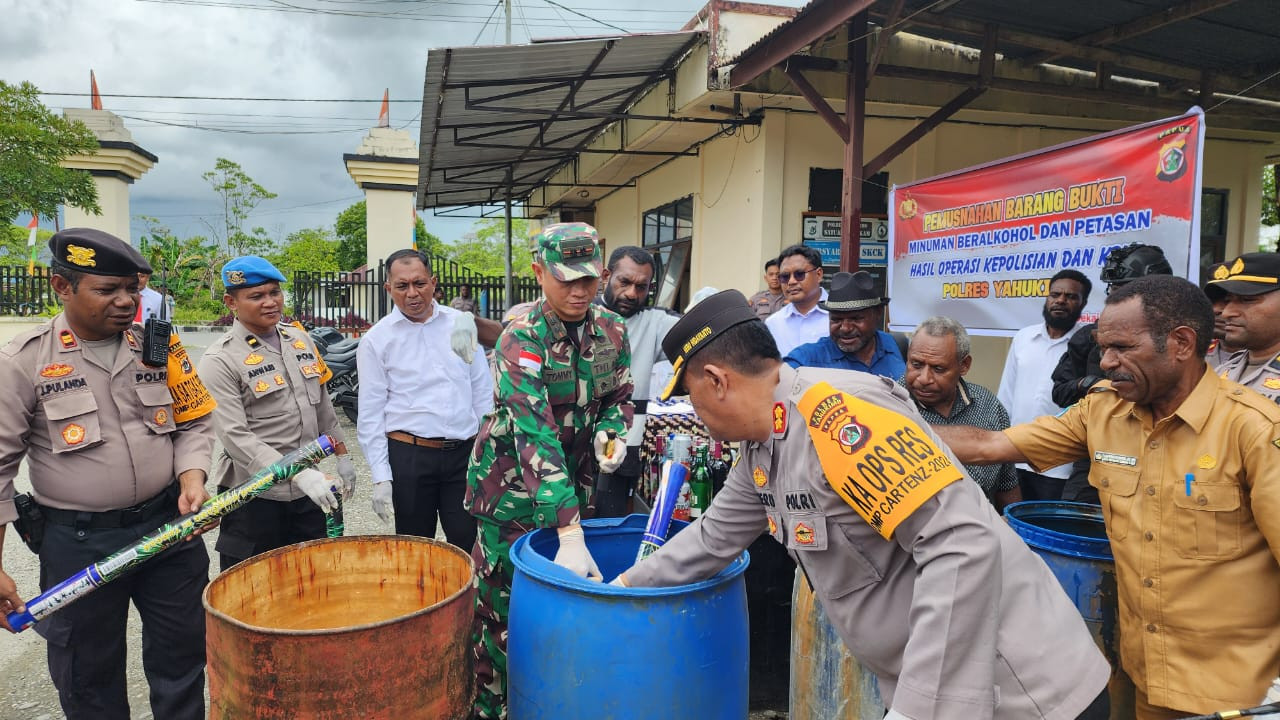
x=115, y=449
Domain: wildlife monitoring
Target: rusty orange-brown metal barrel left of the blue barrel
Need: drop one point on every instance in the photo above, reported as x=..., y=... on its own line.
x=362, y=627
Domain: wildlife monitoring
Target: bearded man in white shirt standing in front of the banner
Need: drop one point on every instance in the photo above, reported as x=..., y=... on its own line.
x=1027, y=385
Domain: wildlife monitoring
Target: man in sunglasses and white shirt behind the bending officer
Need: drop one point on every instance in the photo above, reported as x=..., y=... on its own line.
x=801, y=321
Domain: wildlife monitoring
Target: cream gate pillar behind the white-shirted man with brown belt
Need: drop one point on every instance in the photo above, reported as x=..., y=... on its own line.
x=386, y=168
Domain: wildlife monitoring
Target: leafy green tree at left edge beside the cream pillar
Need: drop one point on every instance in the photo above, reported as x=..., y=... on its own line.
x=34, y=142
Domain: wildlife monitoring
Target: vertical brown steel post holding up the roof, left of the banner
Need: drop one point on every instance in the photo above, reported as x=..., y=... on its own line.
x=856, y=112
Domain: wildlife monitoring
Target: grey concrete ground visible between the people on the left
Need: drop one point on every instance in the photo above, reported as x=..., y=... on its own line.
x=26, y=692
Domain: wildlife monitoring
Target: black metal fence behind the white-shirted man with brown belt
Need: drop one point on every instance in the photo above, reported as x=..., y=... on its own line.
x=355, y=300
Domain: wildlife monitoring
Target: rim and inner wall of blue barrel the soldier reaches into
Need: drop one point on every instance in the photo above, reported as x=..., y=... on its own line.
x=543, y=569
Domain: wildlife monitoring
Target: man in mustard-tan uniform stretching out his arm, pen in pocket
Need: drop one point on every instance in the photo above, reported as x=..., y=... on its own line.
x=1188, y=470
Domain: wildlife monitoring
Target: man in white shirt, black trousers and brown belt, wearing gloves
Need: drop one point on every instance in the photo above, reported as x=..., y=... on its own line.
x=420, y=407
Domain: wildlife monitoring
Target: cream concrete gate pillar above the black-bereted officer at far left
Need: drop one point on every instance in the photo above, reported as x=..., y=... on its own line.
x=115, y=167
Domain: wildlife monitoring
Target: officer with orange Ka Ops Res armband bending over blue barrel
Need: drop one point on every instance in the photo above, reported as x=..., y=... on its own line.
x=918, y=575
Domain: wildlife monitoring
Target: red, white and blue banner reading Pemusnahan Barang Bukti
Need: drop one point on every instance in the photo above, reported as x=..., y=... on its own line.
x=981, y=245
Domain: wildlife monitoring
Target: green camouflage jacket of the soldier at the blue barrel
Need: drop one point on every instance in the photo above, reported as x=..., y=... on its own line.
x=533, y=457
